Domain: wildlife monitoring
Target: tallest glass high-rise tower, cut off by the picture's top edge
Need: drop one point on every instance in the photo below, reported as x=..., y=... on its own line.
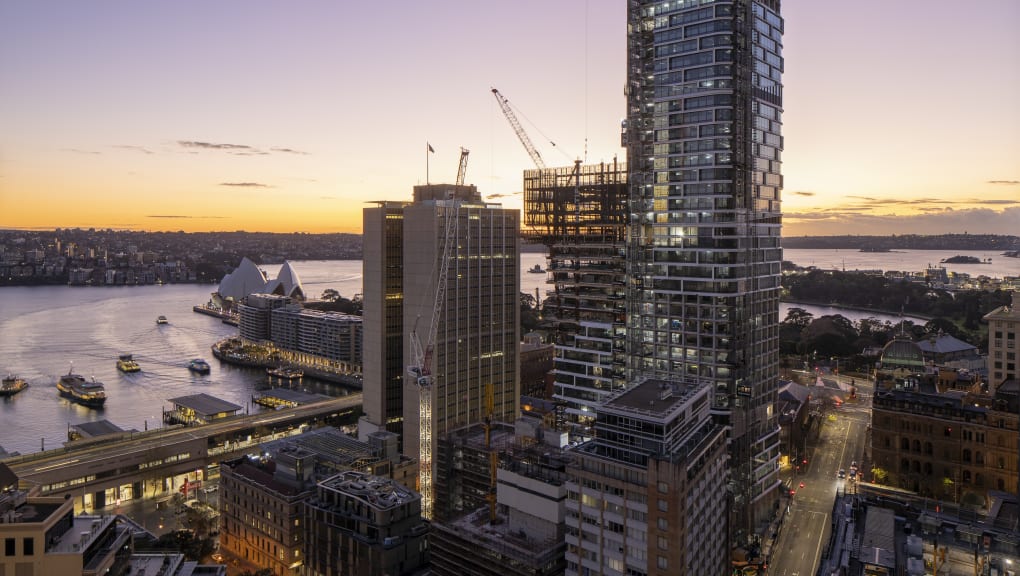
x=704, y=142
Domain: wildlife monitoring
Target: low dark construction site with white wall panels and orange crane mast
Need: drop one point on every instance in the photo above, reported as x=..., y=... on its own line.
x=501, y=494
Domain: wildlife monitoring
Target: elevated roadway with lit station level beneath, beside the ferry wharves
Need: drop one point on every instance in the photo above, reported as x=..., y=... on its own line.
x=161, y=462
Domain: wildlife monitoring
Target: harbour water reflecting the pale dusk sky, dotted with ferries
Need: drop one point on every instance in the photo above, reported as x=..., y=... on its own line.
x=44, y=330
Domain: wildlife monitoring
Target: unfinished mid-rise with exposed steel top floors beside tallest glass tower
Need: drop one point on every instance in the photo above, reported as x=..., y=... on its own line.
x=580, y=214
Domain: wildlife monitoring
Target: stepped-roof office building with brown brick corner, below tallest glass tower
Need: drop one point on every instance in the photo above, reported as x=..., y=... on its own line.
x=646, y=496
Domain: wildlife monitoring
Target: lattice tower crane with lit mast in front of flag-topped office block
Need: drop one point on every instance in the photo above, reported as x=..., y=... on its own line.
x=422, y=357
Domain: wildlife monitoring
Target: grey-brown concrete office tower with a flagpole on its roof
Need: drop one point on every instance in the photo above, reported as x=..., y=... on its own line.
x=470, y=338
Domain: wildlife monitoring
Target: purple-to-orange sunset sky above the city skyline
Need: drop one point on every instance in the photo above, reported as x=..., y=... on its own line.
x=900, y=117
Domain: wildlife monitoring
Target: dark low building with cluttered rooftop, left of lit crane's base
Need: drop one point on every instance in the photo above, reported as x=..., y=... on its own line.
x=364, y=525
